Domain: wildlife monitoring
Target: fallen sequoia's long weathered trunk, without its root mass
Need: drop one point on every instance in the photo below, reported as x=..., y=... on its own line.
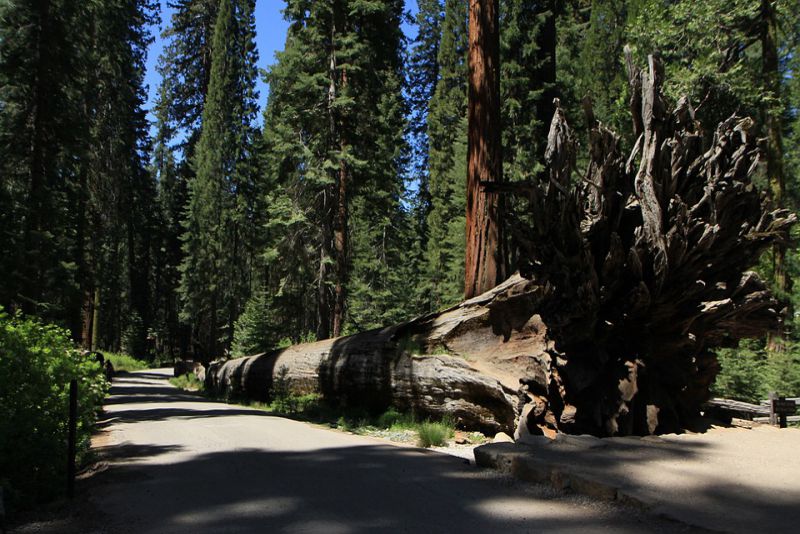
x=463, y=362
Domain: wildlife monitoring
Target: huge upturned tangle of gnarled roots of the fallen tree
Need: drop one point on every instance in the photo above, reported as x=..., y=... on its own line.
x=643, y=266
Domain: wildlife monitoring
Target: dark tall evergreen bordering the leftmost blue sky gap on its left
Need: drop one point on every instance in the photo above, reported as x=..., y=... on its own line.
x=121, y=190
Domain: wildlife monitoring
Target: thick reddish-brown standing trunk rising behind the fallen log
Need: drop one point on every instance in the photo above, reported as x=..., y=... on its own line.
x=485, y=260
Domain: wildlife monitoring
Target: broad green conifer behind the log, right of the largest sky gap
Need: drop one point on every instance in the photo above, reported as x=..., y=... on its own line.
x=334, y=135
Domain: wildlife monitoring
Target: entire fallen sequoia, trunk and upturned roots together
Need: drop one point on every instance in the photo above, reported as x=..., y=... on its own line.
x=629, y=278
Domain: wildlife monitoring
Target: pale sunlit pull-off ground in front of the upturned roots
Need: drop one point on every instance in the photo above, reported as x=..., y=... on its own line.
x=727, y=479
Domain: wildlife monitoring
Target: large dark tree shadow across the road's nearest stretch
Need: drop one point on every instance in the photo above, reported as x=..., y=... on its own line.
x=348, y=489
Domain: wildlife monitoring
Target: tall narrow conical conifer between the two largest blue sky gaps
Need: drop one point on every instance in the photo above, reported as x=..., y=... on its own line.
x=219, y=238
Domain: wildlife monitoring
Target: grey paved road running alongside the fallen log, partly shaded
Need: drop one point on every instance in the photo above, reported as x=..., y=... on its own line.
x=181, y=464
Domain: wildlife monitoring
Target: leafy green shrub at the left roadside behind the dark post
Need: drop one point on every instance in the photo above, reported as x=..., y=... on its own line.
x=37, y=362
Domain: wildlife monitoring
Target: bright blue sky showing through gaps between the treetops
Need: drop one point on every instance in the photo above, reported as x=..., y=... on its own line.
x=270, y=37
